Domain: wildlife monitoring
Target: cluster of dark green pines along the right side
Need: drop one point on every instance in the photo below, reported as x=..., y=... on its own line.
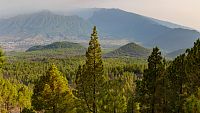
x=171, y=88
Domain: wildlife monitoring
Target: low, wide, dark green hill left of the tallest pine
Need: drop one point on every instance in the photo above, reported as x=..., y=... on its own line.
x=57, y=45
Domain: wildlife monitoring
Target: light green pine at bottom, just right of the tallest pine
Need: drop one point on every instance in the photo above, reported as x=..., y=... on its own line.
x=114, y=99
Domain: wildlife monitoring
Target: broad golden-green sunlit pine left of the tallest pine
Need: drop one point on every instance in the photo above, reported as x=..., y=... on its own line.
x=52, y=94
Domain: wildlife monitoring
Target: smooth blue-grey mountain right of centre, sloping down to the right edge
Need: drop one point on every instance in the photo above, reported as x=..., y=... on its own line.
x=148, y=31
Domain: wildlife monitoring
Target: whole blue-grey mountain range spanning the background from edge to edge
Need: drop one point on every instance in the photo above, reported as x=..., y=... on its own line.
x=113, y=24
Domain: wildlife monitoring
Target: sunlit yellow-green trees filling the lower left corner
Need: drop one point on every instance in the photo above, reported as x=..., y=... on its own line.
x=12, y=93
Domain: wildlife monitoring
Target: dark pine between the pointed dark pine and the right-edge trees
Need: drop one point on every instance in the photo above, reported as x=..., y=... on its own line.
x=177, y=83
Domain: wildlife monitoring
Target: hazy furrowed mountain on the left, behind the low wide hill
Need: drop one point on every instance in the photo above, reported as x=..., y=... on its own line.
x=46, y=24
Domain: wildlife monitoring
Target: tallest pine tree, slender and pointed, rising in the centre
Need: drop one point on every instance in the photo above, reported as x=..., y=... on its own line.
x=90, y=79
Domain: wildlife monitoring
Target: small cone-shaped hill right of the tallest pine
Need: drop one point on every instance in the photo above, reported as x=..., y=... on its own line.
x=130, y=50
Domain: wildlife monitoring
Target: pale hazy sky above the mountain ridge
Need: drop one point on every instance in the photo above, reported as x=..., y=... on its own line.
x=184, y=12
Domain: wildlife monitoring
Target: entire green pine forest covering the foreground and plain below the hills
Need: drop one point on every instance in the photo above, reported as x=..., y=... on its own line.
x=89, y=83
